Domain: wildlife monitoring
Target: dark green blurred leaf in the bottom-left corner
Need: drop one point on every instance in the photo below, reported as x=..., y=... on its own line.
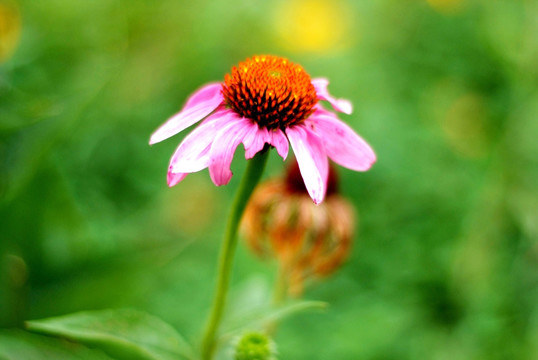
x=19, y=344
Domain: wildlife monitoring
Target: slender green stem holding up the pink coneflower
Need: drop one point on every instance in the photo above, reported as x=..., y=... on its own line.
x=250, y=179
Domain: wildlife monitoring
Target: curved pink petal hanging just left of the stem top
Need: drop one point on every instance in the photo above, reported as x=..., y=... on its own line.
x=223, y=148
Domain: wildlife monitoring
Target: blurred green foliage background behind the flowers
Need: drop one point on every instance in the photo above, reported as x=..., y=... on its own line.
x=445, y=261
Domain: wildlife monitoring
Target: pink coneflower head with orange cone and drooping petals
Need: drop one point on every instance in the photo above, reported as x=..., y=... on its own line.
x=266, y=100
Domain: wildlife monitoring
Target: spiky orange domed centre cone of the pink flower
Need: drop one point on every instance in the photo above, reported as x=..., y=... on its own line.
x=271, y=91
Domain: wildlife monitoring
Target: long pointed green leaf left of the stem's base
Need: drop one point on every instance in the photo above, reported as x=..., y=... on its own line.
x=124, y=334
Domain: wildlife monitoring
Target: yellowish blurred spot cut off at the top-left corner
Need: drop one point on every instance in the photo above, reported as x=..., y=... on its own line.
x=10, y=29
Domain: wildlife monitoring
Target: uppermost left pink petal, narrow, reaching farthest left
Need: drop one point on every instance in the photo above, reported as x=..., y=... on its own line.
x=198, y=106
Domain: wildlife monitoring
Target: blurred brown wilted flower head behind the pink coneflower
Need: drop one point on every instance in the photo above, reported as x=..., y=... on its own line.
x=307, y=240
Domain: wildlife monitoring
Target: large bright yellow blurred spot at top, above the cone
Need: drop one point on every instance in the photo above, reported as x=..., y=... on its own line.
x=314, y=25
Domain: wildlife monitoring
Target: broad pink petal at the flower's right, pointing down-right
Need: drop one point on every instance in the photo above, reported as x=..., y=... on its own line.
x=341, y=143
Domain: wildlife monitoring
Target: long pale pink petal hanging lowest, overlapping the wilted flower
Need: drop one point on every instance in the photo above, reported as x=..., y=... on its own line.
x=312, y=160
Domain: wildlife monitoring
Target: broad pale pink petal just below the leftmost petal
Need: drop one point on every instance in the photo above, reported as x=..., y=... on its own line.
x=193, y=153
